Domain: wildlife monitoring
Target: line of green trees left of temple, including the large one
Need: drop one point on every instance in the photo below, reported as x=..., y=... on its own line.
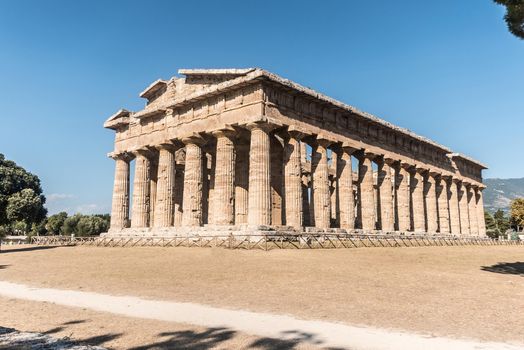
x=22, y=209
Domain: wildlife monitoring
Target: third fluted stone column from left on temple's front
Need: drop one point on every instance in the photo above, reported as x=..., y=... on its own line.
x=164, y=207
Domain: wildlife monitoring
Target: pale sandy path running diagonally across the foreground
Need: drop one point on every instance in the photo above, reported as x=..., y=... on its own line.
x=262, y=324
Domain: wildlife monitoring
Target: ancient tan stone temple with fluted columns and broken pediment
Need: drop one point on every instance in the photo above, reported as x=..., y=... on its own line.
x=235, y=151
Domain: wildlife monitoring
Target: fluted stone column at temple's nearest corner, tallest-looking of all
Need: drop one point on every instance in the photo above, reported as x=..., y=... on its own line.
x=259, y=175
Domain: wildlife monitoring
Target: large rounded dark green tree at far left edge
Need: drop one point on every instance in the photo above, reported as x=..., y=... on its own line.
x=21, y=198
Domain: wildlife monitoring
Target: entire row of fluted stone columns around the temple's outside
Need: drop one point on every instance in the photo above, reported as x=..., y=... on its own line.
x=406, y=198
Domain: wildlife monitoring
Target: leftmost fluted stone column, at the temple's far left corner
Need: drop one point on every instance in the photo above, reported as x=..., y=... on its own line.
x=120, y=203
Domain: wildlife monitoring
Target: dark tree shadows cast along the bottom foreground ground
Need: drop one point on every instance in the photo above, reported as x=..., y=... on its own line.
x=185, y=339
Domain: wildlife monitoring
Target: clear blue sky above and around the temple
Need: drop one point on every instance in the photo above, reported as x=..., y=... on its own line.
x=448, y=70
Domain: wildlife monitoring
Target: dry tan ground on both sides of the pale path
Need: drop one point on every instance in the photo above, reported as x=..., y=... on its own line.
x=473, y=292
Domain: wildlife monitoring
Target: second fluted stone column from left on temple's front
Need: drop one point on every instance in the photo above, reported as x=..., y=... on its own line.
x=141, y=190
